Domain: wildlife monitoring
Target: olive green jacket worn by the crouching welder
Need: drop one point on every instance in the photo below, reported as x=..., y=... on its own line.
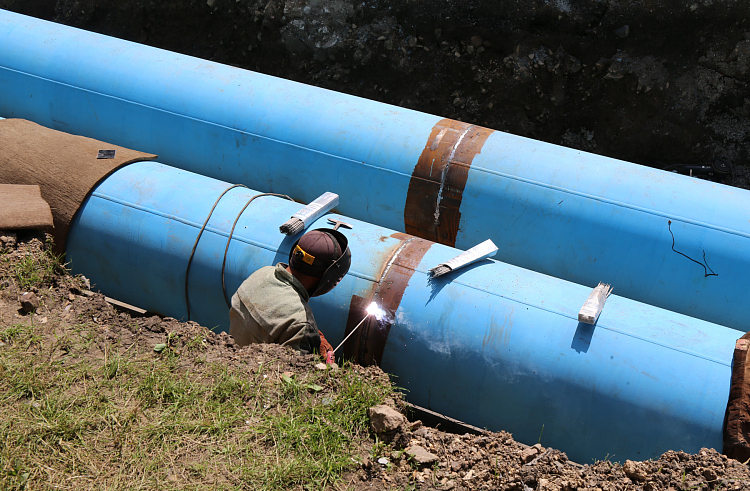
x=271, y=307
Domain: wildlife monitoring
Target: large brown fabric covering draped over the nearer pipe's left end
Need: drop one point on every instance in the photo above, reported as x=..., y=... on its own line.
x=64, y=166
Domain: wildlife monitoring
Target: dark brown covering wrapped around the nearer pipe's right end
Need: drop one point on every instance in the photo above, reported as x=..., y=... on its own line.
x=737, y=418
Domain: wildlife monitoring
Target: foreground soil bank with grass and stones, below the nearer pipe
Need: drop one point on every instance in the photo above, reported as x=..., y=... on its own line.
x=67, y=328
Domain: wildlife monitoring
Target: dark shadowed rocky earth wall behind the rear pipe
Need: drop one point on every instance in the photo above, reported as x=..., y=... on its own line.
x=656, y=82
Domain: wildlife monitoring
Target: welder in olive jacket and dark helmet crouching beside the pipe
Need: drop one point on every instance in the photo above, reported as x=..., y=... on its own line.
x=271, y=304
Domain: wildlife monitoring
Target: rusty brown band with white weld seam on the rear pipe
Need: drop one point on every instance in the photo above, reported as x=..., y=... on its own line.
x=436, y=188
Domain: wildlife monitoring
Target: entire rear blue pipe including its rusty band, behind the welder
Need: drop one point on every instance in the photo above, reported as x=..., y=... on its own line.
x=569, y=214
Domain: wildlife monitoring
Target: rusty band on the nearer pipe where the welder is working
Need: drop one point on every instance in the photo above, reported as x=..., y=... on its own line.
x=366, y=346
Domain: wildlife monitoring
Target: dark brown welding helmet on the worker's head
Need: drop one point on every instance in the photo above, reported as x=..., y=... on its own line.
x=322, y=253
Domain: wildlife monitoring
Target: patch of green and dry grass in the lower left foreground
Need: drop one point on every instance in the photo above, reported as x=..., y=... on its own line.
x=116, y=418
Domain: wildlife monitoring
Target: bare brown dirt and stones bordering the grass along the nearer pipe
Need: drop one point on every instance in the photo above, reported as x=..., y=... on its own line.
x=442, y=461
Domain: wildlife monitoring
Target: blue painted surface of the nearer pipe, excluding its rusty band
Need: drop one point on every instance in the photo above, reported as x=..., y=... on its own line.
x=494, y=345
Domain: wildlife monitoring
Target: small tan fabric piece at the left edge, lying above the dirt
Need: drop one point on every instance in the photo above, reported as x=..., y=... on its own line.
x=23, y=207
